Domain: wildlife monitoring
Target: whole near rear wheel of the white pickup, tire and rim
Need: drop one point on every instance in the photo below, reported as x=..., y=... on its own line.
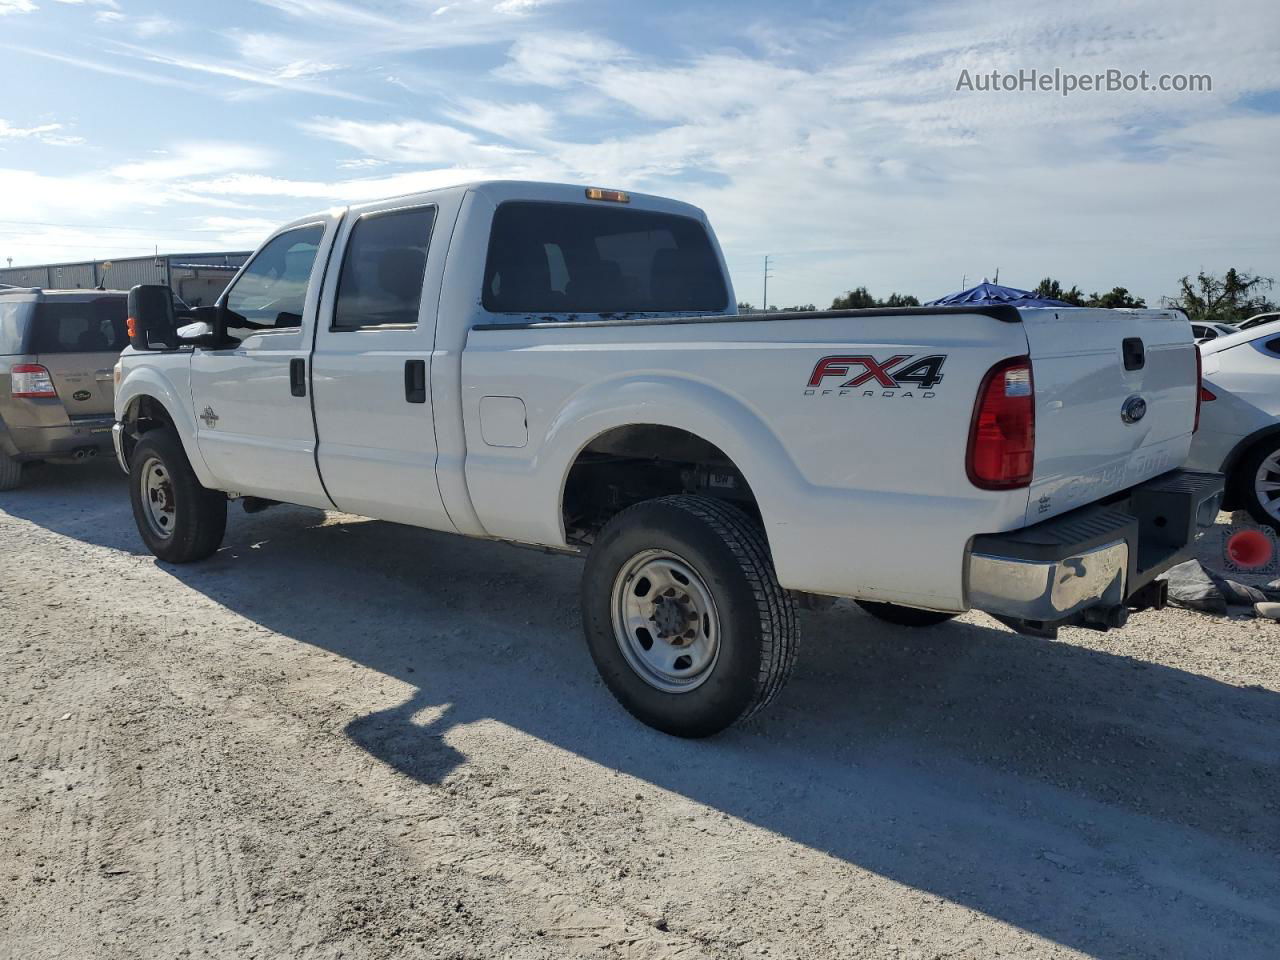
x=684, y=615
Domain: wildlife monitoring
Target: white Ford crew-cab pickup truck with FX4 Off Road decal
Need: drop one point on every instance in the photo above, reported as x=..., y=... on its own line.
x=564, y=367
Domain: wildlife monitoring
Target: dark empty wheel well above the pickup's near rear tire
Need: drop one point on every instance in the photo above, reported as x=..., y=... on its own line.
x=641, y=463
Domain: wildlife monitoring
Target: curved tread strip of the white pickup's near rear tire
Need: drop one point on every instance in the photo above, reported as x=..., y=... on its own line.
x=775, y=609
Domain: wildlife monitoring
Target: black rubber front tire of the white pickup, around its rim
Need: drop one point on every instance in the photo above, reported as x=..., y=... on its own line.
x=199, y=515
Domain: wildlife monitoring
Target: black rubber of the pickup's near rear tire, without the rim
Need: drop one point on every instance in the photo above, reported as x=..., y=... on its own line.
x=755, y=621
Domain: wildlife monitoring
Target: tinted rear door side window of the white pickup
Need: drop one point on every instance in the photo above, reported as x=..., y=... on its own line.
x=383, y=268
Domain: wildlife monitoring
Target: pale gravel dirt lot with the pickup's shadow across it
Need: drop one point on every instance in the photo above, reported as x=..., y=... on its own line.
x=346, y=739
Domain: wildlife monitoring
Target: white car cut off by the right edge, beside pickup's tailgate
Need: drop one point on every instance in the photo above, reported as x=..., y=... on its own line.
x=1240, y=428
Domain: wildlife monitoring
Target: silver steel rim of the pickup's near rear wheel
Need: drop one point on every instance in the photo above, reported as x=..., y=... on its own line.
x=666, y=623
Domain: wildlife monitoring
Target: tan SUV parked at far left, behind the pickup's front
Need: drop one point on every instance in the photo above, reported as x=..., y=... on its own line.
x=57, y=351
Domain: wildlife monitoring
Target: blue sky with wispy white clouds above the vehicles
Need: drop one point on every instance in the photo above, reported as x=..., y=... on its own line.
x=828, y=135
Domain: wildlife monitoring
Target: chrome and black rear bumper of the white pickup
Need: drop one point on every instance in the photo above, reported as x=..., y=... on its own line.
x=1094, y=559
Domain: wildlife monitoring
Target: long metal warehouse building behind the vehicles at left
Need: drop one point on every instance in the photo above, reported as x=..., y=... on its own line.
x=198, y=278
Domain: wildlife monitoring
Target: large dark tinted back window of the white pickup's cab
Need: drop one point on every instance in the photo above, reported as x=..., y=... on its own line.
x=583, y=259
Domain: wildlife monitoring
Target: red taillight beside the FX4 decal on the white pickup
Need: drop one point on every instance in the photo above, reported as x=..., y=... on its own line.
x=1003, y=436
